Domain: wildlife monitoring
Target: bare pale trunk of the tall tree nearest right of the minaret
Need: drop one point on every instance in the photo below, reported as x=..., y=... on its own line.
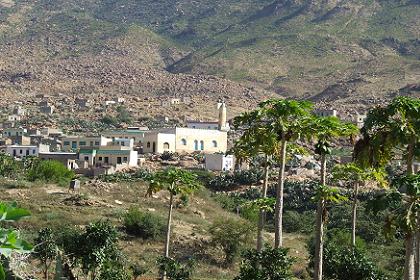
x=278, y=238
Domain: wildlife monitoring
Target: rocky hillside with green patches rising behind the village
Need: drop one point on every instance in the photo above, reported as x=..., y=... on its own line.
x=324, y=50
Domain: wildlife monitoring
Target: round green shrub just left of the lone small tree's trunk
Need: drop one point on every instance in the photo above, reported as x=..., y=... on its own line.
x=144, y=224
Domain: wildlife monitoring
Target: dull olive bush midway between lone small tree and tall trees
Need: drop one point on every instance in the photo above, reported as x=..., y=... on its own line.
x=232, y=236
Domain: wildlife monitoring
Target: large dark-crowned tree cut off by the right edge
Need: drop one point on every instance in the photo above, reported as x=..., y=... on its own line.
x=387, y=128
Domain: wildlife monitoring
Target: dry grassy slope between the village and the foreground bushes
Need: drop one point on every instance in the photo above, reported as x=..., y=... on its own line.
x=190, y=230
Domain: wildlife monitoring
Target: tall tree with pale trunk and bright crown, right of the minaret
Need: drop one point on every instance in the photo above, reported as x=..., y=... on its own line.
x=288, y=120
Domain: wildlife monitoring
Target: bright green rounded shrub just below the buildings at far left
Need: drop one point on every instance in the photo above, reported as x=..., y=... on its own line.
x=50, y=171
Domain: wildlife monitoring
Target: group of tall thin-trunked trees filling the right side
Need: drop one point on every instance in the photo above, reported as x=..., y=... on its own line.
x=389, y=132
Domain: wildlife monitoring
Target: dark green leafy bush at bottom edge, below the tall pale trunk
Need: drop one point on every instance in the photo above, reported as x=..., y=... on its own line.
x=273, y=264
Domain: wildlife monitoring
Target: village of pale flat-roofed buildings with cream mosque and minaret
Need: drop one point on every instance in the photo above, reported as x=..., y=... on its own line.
x=112, y=150
